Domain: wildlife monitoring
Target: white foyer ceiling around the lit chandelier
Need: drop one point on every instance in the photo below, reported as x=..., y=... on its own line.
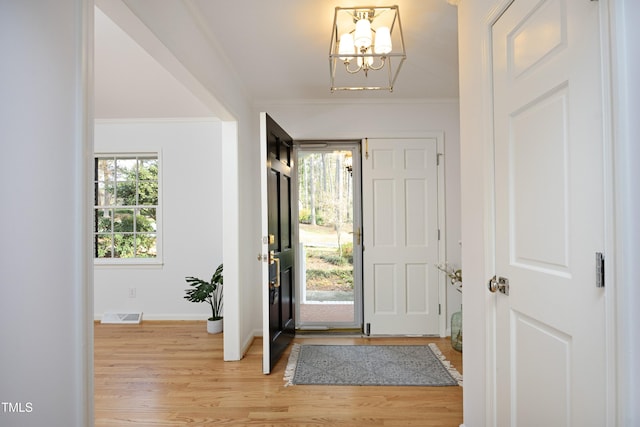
x=279, y=48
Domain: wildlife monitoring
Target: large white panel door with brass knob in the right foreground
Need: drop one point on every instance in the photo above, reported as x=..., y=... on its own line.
x=549, y=204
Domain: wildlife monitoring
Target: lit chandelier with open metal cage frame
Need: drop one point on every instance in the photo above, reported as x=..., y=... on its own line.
x=367, y=48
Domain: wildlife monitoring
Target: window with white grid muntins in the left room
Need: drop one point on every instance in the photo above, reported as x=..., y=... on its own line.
x=126, y=207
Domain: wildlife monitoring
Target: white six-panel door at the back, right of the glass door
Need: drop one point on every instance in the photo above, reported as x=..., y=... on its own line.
x=400, y=229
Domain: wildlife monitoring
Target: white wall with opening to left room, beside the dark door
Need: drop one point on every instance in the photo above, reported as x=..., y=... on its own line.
x=216, y=88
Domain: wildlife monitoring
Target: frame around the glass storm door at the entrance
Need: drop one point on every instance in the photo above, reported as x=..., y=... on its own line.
x=329, y=145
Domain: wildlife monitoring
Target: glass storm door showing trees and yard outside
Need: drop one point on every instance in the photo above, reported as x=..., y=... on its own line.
x=329, y=245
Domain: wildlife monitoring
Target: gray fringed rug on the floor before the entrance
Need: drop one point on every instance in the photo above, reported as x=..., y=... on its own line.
x=399, y=365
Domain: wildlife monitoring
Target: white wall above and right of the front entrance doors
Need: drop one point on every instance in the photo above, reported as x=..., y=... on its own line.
x=371, y=119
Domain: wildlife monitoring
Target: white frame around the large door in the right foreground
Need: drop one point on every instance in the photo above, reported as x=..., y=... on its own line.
x=490, y=327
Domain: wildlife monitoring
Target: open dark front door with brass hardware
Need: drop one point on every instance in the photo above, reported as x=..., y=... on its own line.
x=281, y=297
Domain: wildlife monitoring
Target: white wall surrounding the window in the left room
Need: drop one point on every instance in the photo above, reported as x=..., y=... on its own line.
x=191, y=190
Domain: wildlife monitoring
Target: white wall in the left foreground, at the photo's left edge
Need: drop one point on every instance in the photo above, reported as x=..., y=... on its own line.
x=45, y=271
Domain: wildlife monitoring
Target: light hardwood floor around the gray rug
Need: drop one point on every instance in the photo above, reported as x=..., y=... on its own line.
x=172, y=374
